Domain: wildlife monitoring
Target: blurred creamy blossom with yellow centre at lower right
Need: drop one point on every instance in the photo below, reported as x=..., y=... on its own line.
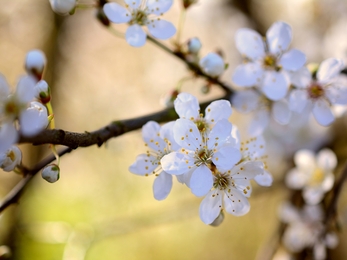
x=313, y=174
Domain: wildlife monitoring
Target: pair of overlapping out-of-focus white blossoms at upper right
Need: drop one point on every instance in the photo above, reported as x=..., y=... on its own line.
x=276, y=83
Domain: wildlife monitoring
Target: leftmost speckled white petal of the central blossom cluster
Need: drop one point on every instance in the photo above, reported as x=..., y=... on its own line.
x=144, y=165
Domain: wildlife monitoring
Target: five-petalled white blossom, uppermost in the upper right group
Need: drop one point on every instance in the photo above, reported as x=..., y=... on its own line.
x=267, y=62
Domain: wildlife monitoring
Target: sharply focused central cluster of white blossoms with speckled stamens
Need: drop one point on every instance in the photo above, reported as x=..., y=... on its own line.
x=205, y=153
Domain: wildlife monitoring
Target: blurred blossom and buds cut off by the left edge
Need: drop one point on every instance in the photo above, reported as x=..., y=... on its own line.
x=23, y=111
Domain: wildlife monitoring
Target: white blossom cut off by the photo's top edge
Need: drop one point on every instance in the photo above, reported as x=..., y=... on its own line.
x=138, y=13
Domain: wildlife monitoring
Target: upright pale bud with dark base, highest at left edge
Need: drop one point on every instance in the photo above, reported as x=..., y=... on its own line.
x=35, y=63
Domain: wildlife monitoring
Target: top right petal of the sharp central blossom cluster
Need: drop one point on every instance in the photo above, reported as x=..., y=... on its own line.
x=217, y=110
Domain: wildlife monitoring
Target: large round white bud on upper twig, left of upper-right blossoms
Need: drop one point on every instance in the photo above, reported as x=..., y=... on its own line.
x=212, y=64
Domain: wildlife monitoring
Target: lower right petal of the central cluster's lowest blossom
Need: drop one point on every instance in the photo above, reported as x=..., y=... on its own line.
x=235, y=203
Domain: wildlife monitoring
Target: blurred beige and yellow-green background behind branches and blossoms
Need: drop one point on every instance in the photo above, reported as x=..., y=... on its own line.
x=98, y=209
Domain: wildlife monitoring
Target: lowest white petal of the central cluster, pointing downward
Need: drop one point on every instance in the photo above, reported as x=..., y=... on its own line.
x=210, y=206
